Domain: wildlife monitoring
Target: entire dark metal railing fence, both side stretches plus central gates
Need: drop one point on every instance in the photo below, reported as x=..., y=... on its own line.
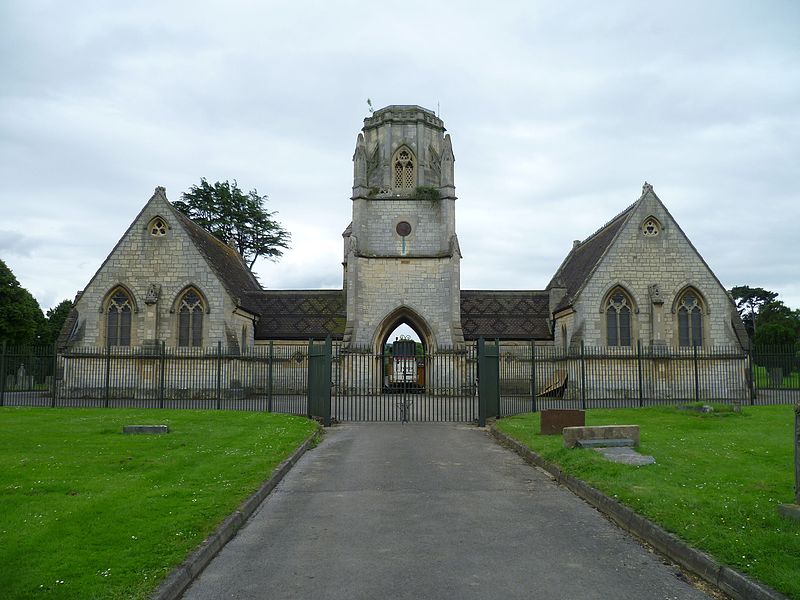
x=366, y=386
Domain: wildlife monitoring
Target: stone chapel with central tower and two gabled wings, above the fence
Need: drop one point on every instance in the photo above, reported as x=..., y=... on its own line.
x=637, y=279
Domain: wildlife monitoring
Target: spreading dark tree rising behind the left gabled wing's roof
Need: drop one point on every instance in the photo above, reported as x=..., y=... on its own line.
x=229, y=214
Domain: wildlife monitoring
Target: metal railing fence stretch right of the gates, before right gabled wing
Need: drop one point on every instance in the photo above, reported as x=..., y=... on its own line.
x=533, y=376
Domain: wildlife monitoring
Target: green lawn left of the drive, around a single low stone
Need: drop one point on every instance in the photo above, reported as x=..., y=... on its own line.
x=87, y=512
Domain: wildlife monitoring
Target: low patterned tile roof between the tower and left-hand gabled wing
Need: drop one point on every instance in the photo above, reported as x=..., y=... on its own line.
x=298, y=314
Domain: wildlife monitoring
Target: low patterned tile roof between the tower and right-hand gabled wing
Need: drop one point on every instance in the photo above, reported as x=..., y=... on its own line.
x=505, y=315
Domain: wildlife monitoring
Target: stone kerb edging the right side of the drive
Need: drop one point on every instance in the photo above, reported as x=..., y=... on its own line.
x=732, y=582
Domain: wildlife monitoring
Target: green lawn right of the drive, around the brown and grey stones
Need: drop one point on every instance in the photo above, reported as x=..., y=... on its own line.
x=716, y=483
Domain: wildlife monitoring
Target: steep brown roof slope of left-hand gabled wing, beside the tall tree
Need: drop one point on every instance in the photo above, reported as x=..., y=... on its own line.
x=224, y=260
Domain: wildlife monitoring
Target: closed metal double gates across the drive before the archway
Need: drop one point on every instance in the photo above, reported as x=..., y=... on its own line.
x=439, y=386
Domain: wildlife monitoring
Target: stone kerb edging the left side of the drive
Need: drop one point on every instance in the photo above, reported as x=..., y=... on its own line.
x=184, y=574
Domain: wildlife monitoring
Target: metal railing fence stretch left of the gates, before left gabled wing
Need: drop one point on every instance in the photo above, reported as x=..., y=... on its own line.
x=272, y=377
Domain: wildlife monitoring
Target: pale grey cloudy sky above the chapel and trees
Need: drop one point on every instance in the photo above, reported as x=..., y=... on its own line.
x=558, y=111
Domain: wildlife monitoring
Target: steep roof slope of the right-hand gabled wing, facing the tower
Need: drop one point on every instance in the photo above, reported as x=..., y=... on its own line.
x=581, y=262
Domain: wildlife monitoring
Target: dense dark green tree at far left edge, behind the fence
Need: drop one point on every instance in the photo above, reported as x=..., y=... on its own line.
x=21, y=320
